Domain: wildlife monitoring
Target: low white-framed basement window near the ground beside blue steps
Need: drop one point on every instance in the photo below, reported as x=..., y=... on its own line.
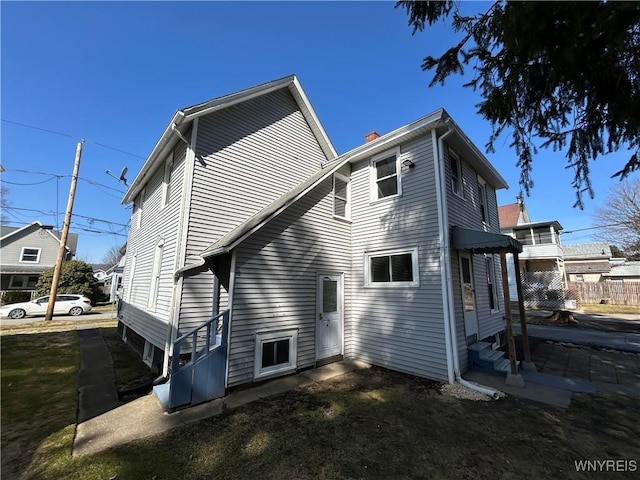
x=275, y=353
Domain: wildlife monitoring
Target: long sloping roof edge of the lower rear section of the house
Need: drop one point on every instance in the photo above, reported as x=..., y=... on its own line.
x=434, y=120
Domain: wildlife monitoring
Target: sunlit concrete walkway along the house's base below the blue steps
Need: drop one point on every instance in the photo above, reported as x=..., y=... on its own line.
x=144, y=416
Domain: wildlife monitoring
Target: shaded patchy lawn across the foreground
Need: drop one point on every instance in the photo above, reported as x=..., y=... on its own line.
x=367, y=424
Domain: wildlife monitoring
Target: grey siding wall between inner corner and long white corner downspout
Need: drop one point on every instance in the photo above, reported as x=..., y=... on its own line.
x=398, y=328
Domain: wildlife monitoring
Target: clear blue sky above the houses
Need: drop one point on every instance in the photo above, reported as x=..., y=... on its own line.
x=114, y=74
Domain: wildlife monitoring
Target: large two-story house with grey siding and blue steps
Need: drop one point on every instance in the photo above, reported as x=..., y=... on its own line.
x=242, y=213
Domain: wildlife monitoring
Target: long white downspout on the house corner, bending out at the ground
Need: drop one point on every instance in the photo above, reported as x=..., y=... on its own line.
x=446, y=276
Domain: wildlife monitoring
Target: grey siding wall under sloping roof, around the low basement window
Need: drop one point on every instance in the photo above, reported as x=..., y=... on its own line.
x=276, y=278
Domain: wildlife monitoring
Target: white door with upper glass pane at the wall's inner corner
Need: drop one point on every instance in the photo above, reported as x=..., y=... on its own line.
x=329, y=316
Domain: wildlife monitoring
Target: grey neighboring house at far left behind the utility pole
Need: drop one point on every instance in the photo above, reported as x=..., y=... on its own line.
x=26, y=252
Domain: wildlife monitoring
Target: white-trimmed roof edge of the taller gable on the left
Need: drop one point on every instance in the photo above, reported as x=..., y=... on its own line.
x=183, y=118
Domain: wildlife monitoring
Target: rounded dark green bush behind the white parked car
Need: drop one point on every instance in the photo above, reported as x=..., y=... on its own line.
x=75, y=277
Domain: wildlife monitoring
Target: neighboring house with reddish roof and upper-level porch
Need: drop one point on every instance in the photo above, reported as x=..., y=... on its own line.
x=541, y=262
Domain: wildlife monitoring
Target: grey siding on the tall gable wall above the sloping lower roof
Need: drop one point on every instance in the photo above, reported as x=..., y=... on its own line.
x=248, y=156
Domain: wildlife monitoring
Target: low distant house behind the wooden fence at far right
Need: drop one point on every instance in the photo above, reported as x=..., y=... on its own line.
x=587, y=262
